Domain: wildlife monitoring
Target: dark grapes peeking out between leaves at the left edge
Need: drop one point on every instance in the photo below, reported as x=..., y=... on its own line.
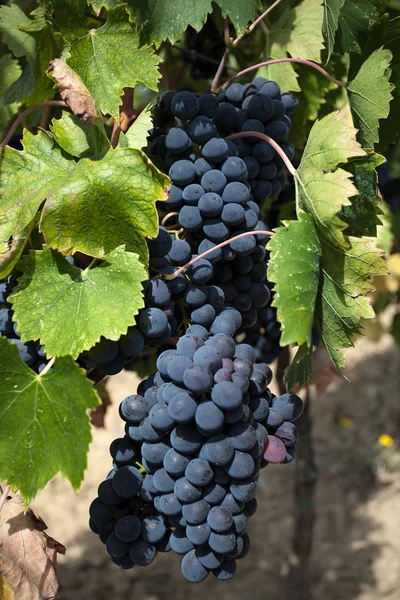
x=32, y=353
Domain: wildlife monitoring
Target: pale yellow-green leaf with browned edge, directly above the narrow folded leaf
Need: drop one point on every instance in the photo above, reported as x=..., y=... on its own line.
x=322, y=188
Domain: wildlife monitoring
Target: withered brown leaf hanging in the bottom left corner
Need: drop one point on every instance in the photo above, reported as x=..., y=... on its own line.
x=24, y=543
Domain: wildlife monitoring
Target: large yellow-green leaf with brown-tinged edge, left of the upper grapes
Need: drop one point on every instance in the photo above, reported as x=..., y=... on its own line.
x=117, y=194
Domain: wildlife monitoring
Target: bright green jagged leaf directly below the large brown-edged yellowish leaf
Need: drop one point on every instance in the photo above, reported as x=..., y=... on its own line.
x=80, y=306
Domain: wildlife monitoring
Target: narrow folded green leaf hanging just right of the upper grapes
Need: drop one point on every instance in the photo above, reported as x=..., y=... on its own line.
x=294, y=268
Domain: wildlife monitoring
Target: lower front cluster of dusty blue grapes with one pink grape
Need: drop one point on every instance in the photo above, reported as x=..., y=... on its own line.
x=200, y=439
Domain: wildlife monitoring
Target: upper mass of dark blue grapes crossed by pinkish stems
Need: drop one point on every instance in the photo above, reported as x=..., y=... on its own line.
x=218, y=188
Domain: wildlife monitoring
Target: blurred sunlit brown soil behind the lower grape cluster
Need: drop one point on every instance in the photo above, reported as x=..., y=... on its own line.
x=356, y=541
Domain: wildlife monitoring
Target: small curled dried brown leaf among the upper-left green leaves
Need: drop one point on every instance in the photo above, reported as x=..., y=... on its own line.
x=73, y=91
